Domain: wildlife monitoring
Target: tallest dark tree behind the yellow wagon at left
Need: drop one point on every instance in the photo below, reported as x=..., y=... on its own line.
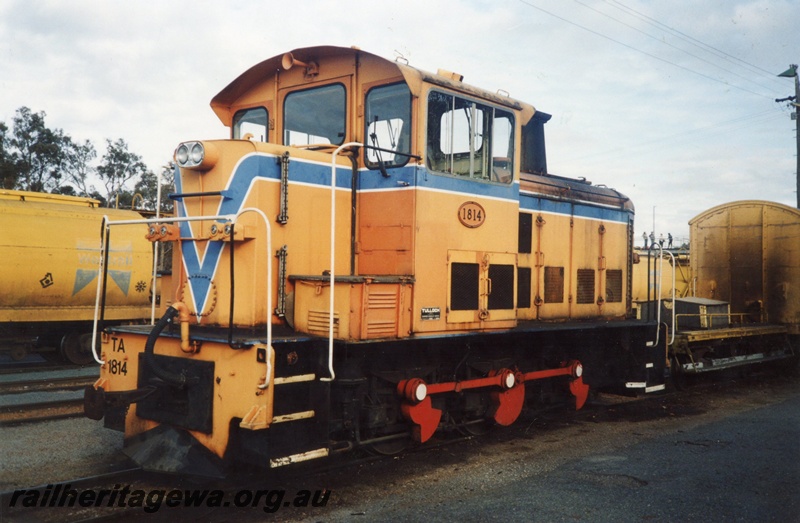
x=37, y=152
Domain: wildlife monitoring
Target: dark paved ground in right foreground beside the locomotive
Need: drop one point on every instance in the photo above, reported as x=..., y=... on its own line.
x=594, y=462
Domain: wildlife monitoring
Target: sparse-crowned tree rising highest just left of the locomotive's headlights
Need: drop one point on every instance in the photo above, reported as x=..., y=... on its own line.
x=118, y=167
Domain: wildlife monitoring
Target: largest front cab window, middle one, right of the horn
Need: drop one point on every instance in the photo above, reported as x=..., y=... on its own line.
x=315, y=116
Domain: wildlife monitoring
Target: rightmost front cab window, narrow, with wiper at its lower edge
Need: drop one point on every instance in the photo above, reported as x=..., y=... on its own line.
x=388, y=125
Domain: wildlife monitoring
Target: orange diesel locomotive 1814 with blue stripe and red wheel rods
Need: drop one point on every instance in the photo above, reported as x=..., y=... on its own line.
x=376, y=253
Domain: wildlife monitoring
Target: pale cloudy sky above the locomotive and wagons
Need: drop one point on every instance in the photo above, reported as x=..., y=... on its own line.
x=670, y=102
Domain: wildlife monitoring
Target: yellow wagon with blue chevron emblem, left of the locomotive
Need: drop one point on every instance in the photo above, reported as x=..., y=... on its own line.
x=49, y=259
